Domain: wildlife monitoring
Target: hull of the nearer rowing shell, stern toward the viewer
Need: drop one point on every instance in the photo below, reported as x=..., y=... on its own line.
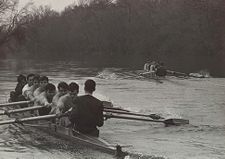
x=69, y=134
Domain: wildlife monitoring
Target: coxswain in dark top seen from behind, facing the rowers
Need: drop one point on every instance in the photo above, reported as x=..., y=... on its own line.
x=87, y=112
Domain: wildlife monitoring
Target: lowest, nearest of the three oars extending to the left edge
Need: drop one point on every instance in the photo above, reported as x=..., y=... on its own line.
x=12, y=121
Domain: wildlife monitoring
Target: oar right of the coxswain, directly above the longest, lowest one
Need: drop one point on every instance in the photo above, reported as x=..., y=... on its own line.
x=153, y=116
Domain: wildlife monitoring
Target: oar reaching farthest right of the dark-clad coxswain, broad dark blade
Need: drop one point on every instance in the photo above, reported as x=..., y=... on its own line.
x=167, y=122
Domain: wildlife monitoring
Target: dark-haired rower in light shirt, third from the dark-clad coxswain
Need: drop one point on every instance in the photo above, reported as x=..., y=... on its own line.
x=45, y=99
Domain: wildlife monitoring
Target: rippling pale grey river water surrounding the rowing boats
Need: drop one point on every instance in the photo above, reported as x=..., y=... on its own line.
x=201, y=101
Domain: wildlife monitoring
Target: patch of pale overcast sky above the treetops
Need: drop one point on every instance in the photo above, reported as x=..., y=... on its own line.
x=55, y=4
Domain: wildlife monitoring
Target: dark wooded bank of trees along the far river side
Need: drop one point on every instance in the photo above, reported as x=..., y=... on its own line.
x=187, y=35
